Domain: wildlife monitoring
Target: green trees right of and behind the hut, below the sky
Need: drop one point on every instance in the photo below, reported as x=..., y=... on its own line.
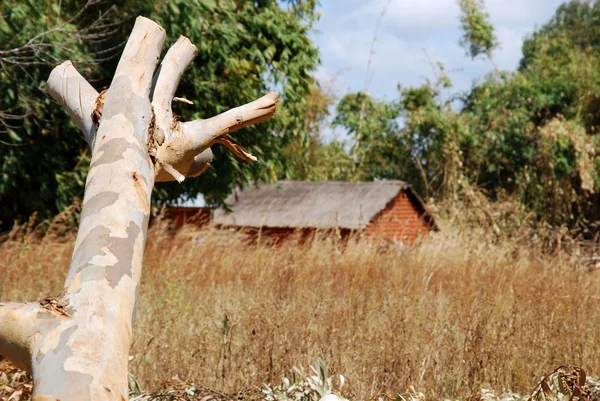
x=532, y=134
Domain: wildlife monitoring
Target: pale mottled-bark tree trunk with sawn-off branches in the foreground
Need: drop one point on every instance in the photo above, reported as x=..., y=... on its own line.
x=77, y=345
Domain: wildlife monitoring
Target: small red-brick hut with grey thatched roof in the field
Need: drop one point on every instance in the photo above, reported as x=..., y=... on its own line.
x=387, y=209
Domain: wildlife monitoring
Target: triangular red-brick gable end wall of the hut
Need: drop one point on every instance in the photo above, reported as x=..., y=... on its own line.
x=399, y=221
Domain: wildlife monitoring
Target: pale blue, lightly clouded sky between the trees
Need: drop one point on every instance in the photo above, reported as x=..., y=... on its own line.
x=413, y=35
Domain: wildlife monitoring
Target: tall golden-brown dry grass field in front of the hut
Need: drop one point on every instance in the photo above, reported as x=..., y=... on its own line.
x=461, y=311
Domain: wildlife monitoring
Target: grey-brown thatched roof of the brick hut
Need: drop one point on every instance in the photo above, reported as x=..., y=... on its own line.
x=313, y=204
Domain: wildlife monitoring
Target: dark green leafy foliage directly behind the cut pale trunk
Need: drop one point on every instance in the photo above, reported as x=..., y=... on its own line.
x=245, y=49
